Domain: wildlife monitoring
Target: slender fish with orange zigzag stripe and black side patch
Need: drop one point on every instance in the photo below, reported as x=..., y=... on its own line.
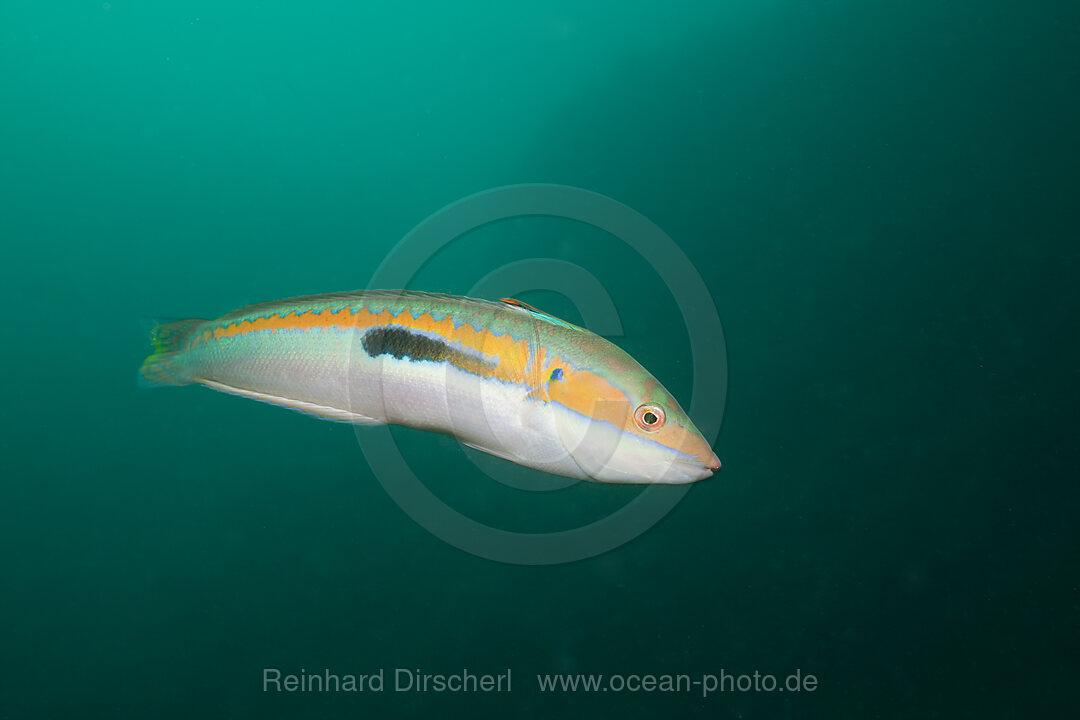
x=502, y=377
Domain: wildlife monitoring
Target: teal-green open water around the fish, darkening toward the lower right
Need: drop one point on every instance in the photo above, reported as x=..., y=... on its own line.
x=881, y=198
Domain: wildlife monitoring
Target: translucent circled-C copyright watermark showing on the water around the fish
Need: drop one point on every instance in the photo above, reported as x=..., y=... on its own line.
x=698, y=311
